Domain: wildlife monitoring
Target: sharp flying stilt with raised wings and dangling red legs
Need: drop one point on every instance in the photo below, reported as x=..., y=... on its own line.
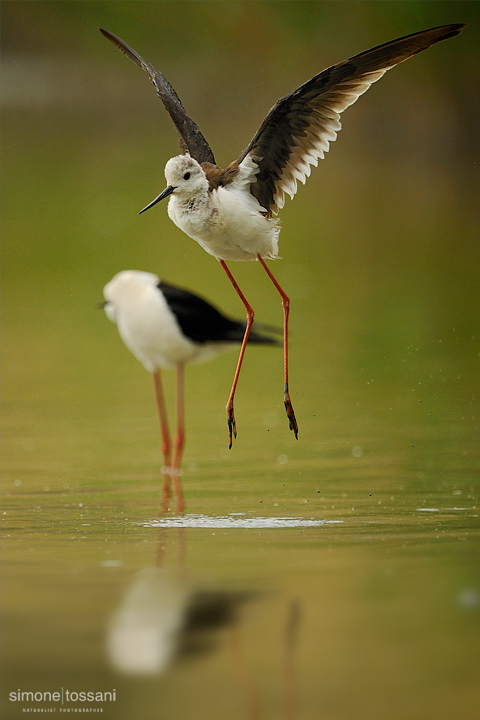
x=231, y=212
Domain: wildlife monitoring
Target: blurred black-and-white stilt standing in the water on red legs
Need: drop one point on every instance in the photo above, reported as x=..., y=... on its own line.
x=167, y=327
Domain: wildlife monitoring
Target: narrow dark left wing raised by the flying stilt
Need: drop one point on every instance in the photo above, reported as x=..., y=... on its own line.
x=190, y=137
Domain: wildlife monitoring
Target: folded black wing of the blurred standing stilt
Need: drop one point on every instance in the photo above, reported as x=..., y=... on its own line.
x=202, y=323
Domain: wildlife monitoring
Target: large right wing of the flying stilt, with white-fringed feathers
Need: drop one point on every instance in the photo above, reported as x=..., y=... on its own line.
x=300, y=127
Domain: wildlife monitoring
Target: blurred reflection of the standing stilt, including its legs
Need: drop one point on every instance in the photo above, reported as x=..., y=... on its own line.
x=165, y=615
